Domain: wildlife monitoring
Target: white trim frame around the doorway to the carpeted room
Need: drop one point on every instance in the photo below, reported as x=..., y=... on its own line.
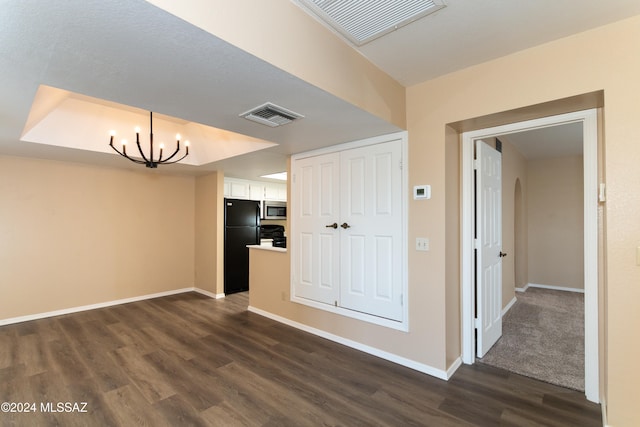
x=588, y=119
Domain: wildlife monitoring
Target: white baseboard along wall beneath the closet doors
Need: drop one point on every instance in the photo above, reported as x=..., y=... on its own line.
x=421, y=367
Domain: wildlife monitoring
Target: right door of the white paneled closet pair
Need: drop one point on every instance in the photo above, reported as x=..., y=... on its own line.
x=371, y=230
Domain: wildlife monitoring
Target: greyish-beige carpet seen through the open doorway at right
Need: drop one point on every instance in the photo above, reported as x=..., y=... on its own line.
x=543, y=338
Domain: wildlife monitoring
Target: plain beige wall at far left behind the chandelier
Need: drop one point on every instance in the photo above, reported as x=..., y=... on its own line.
x=74, y=235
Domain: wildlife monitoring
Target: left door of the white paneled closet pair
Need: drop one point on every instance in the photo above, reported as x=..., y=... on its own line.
x=316, y=209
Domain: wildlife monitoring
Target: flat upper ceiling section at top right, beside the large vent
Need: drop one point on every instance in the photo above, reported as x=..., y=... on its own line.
x=469, y=32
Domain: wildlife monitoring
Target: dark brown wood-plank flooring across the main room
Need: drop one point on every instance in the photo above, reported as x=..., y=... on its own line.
x=190, y=360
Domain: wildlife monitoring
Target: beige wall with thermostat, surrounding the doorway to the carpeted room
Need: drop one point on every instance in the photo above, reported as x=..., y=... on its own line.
x=607, y=59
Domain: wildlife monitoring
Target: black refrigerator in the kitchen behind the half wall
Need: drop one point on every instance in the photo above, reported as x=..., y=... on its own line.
x=241, y=228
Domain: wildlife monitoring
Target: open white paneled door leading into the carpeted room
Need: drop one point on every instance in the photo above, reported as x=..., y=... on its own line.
x=489, y=247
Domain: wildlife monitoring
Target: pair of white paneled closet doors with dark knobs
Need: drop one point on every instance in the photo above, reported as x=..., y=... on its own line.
x=348, y=242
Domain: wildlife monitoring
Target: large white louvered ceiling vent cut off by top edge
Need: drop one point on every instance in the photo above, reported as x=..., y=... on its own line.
x=362, y=21
